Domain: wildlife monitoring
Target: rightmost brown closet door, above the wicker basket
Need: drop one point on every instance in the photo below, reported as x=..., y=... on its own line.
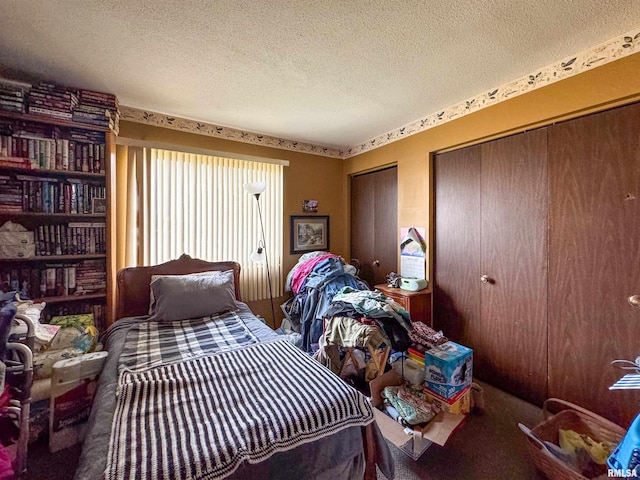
x=594, y=259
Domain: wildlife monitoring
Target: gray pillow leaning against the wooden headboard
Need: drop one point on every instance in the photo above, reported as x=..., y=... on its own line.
x=179, y=297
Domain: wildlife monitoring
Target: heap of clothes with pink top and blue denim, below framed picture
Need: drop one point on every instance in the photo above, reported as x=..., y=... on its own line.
x=314, y=281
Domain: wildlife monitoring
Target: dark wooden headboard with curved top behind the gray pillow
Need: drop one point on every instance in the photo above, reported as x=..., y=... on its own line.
x=132, y=283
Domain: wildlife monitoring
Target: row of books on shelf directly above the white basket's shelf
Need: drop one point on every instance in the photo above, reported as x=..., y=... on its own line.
x=26, y=193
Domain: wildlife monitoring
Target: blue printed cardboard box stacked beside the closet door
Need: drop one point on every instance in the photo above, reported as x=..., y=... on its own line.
x=448, y=369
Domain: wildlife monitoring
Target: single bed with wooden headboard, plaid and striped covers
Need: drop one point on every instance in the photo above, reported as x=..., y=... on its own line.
x=241, y=406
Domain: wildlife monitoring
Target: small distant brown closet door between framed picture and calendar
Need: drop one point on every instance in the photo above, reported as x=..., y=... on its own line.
x=374, y=224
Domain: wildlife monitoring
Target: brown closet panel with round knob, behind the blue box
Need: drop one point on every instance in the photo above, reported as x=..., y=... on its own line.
x=511, y=337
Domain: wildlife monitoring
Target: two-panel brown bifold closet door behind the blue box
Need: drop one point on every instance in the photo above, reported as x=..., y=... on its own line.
x=490, y=282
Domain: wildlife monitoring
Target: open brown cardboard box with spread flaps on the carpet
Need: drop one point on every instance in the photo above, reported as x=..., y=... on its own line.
x=414, y=442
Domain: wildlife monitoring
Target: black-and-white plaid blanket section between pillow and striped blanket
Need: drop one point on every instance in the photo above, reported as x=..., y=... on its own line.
x=150, y=344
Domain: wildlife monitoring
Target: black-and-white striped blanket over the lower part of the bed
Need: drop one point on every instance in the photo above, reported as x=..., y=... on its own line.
x=200, y=419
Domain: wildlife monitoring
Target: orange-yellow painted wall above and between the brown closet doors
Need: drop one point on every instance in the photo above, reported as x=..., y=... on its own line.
x=613, y=84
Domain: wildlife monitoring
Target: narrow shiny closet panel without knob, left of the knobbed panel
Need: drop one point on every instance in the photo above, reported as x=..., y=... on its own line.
x=456, y=289
